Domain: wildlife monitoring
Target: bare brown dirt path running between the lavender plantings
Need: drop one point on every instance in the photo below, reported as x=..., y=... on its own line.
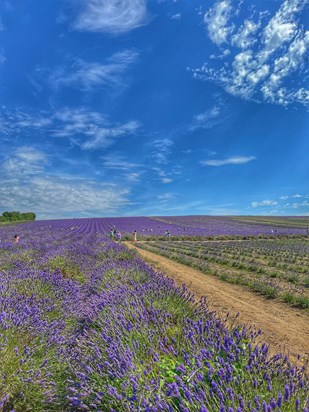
x=285, y=329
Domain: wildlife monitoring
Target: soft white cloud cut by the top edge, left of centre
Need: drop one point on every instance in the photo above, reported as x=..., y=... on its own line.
x=111, y=16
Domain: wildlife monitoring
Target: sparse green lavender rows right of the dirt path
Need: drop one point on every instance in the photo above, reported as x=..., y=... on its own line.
x=276, y=268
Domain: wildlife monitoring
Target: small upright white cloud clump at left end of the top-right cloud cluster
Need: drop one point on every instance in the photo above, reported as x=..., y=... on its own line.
x=216, y=20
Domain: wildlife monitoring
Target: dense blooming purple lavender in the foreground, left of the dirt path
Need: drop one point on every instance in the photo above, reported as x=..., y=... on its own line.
x=87, y=326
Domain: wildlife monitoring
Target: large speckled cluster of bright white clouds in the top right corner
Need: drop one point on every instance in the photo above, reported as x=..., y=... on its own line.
x=268, y=53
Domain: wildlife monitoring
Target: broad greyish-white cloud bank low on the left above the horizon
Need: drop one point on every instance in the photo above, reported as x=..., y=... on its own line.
x=25, y=185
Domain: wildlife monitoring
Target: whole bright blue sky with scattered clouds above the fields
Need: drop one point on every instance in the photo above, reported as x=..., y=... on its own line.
x=162, y=107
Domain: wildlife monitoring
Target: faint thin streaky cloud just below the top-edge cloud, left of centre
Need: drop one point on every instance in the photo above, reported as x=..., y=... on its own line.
x=89, y=75
